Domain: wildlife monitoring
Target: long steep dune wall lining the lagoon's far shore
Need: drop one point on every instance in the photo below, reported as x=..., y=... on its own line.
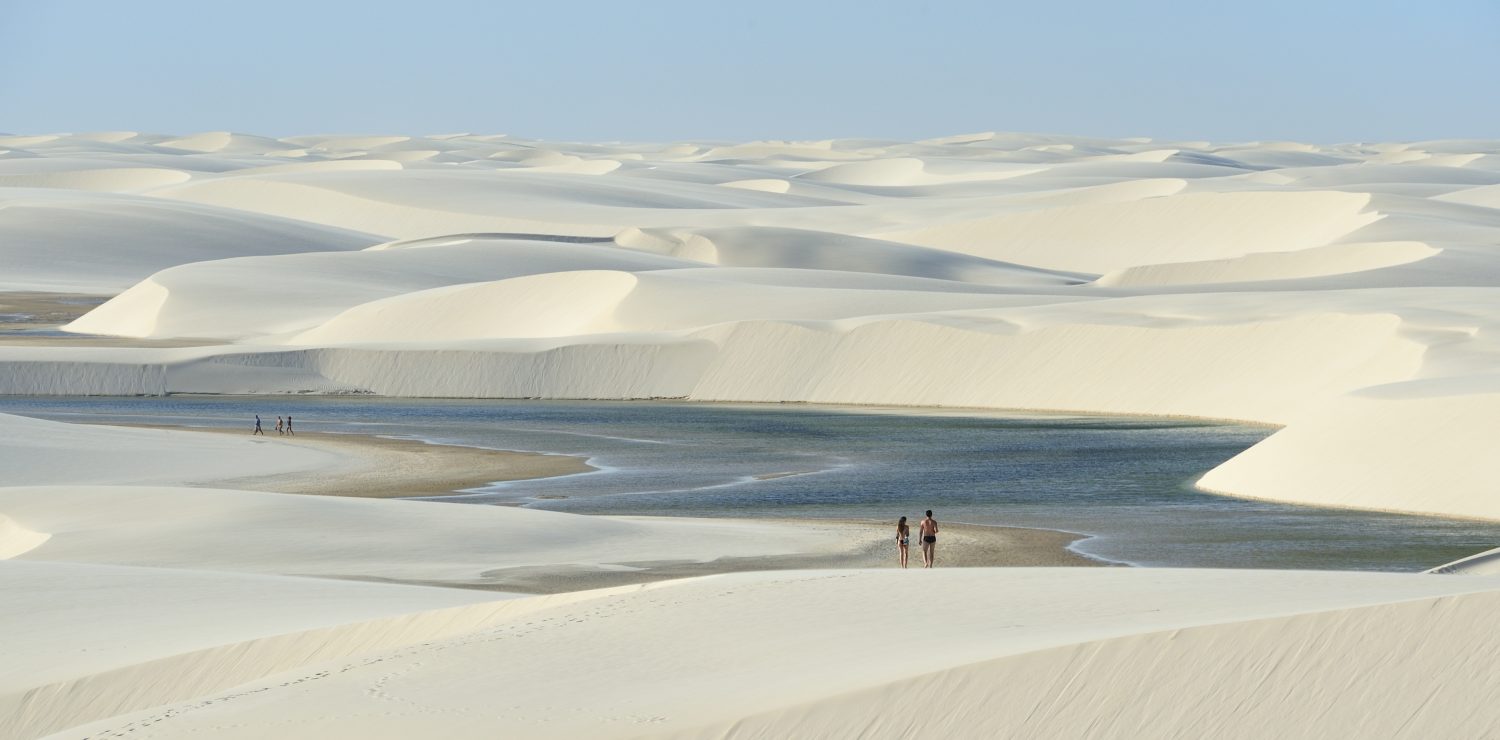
x=1040, y=353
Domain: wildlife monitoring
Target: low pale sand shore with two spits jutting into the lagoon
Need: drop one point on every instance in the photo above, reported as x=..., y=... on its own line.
x=355, y=535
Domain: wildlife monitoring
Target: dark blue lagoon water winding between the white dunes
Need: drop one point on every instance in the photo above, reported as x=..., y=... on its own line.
x=1124, y=483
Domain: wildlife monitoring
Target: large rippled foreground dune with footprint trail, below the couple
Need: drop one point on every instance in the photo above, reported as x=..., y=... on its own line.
x=1021, y=652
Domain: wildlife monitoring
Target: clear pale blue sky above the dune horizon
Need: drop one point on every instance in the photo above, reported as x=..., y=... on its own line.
x=656, y=71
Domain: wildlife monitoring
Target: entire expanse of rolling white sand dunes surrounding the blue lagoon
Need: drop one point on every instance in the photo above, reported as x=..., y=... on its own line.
x=1346, y=293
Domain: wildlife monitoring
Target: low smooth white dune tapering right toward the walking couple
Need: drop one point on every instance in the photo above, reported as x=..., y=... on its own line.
x=425, y=543
